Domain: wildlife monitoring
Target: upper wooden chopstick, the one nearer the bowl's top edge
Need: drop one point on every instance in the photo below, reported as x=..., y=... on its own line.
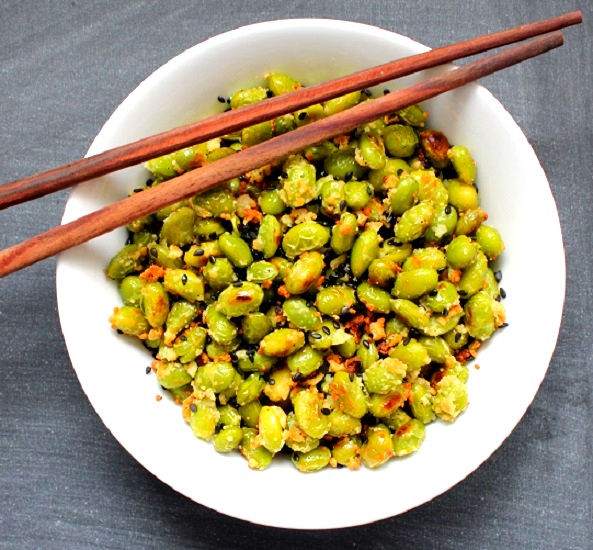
x=128, y=155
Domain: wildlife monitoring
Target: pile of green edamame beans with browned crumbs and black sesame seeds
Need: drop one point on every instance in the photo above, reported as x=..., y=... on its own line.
x=324, y=307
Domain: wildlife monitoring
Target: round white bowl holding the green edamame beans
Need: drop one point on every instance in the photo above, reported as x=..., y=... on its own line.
x=514, y=192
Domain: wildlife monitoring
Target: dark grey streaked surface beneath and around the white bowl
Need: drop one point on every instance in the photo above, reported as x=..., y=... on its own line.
x=66, y=483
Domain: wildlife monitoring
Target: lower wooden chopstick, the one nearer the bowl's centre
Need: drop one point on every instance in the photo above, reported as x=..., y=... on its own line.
x=196, y=181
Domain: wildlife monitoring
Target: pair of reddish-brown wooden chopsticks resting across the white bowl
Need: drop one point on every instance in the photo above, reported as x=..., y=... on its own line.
x=124, y=211
